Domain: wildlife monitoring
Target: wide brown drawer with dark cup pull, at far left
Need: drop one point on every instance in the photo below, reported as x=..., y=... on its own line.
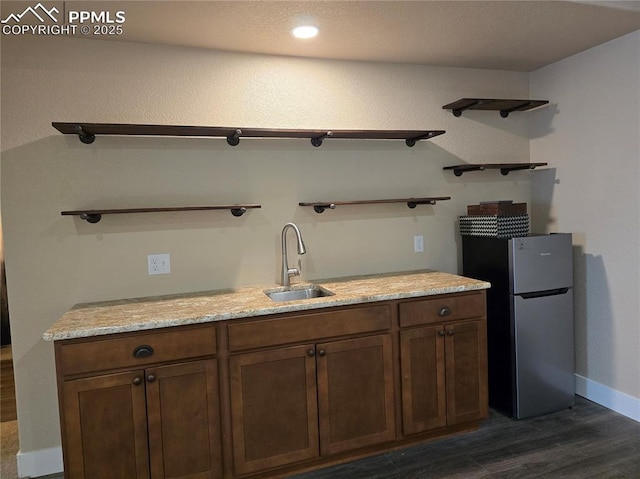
x=83, y=356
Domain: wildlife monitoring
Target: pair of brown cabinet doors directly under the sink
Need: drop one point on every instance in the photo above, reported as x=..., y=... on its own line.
x=298, y=403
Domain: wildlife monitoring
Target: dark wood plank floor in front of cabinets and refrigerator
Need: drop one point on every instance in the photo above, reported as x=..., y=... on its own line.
x=587, y=441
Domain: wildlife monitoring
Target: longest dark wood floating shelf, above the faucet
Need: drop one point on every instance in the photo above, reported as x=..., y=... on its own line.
x=87, y=132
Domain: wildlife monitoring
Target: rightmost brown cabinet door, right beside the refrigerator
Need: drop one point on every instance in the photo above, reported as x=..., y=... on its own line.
x=466, y=359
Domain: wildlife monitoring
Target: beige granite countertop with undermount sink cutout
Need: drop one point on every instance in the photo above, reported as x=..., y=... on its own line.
x=95, y=319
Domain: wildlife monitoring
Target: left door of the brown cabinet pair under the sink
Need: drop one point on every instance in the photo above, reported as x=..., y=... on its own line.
x=274, y=408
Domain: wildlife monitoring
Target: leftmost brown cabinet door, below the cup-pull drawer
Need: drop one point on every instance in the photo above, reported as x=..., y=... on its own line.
x=105, y=428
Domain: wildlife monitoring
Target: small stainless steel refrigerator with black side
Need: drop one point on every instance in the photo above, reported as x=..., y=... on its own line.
x=529, y=320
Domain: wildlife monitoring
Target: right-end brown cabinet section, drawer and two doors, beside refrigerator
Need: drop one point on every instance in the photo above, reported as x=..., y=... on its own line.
x=443, y=366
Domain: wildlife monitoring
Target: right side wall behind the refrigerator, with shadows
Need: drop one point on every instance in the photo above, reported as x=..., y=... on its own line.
x=593, y=140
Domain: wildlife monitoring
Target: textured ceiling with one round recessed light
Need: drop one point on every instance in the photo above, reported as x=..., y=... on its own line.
x=519, y=35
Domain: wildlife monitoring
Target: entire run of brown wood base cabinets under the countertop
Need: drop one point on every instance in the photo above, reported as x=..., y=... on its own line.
x=267, y=397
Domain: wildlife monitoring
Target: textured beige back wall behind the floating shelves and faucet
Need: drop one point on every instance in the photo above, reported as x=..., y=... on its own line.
x=54, y=262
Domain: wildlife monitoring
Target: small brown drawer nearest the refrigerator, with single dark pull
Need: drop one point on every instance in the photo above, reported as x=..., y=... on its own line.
x=442, y=308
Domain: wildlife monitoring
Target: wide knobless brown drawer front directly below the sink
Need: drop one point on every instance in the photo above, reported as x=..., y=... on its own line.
x=308, y=327
